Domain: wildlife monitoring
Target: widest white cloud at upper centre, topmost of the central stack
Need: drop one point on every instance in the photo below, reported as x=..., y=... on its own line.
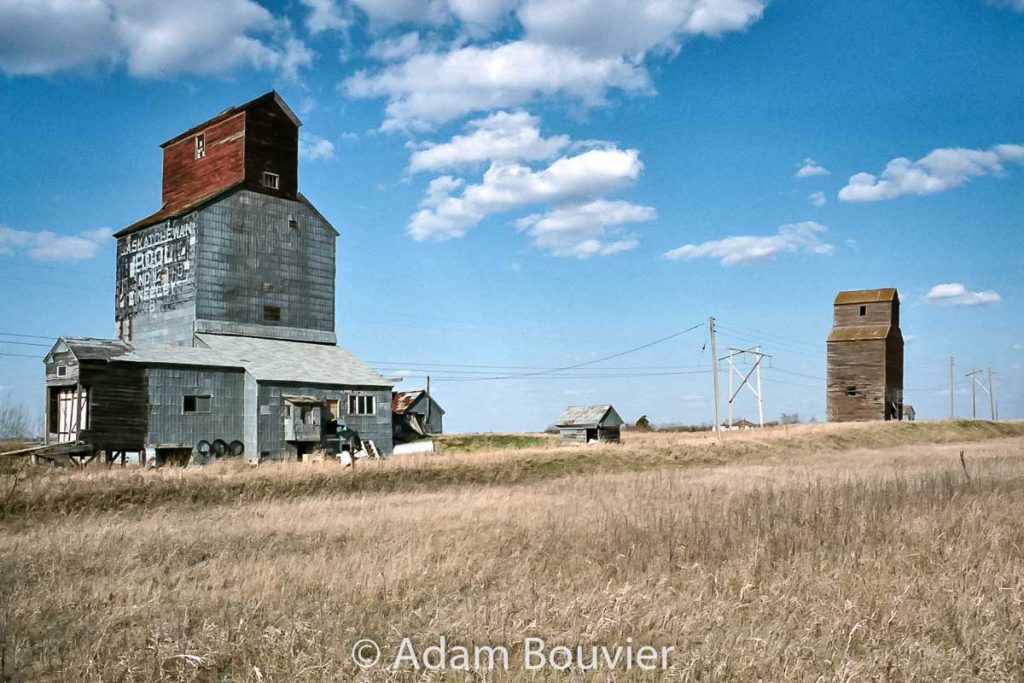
x=432, y=89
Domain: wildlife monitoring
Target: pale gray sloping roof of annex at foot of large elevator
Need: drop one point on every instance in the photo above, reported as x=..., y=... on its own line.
x=277, y=360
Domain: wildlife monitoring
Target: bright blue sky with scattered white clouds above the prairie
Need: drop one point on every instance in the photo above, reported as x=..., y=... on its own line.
x=527, y=185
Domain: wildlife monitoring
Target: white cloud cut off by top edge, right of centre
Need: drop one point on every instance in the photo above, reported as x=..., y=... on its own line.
x=632, y=27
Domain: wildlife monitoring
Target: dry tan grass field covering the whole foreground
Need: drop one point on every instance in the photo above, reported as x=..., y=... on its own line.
x=818, y=553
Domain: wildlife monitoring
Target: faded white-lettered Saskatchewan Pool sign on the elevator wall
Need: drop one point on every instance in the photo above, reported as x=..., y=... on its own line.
x=156, y=269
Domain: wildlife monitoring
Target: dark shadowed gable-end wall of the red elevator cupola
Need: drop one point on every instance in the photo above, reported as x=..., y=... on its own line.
x=272, y=146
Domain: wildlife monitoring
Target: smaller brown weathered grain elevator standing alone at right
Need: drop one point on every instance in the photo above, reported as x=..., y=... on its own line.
x=866, y=358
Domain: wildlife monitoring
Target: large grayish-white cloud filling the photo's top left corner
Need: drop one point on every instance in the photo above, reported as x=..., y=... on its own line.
x=152, y=39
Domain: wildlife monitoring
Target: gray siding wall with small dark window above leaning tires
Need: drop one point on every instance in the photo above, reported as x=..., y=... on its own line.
x=168, y=422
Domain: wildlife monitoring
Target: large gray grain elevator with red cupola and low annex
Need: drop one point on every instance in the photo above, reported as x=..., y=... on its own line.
x=225, y=312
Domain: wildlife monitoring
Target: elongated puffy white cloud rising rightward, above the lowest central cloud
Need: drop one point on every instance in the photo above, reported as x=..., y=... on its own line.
x=508, y=186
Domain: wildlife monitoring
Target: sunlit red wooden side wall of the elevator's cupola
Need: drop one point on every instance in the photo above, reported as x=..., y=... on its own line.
x=187, y=179
